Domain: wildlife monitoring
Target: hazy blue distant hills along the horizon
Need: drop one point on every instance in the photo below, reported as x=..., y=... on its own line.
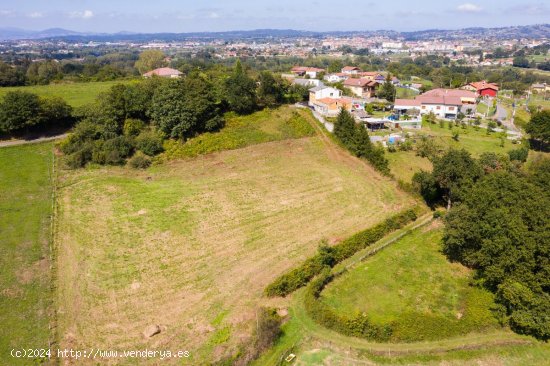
x=530, y=31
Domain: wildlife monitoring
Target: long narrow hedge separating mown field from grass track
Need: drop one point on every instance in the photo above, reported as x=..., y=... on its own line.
x=311, y=267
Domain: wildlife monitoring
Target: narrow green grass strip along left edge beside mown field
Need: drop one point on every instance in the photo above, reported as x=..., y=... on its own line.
x=25, y=208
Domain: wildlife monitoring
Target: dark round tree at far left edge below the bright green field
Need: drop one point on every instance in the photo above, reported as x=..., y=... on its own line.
x=19, y=110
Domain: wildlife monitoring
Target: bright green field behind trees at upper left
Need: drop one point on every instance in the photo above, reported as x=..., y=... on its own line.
x=76, y=94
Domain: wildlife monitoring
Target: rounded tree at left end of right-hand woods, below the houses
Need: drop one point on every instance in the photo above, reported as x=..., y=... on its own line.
x=455, y=171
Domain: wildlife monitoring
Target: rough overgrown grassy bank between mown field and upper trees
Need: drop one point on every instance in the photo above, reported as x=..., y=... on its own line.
x=240, y=131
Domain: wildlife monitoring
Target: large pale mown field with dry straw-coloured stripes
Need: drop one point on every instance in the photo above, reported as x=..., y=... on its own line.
x=191, y=244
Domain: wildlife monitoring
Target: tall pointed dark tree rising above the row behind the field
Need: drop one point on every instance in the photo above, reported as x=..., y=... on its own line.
x=241, y=91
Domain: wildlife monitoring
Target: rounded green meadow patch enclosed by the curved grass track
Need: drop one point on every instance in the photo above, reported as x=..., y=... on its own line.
x=413, y=285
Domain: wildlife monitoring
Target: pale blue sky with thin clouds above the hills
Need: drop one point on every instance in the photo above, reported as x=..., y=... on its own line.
x=108, y=16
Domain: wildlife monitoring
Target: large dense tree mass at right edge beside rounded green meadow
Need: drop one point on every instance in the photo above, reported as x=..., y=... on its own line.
x=501, y=230
